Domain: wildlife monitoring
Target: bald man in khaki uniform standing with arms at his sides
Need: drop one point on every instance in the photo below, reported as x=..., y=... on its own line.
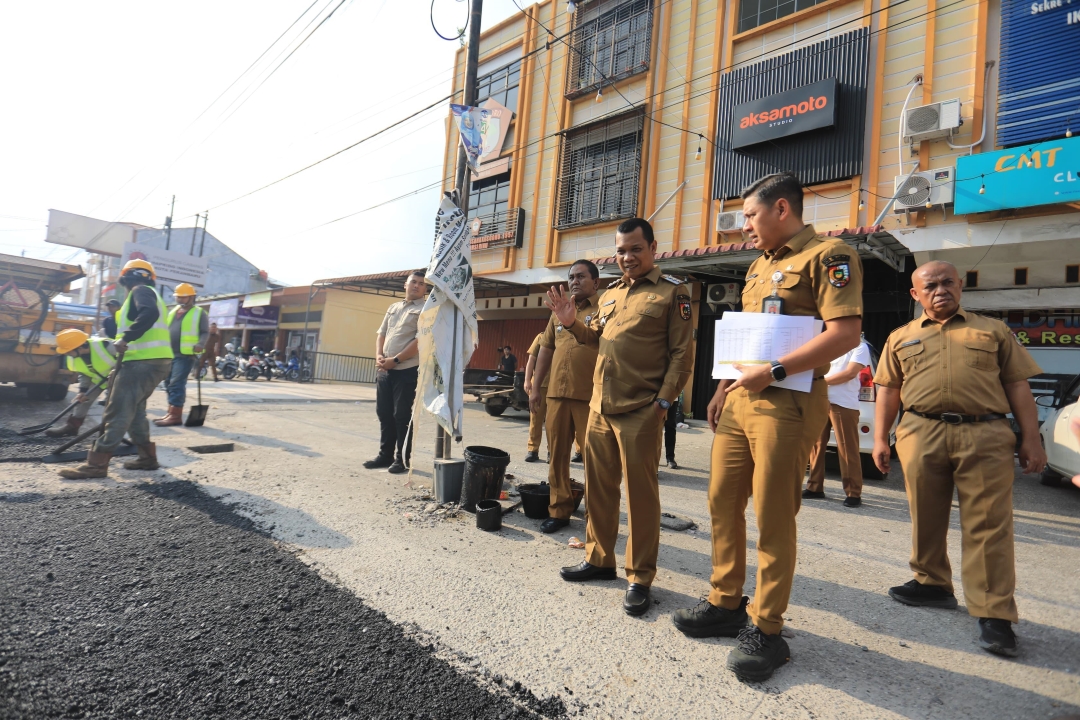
x=958, y=374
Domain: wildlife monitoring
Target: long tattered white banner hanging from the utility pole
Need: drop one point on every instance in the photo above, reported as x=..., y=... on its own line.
x=447, y=330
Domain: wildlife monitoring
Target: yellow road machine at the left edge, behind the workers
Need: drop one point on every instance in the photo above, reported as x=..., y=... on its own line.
x=30, y=324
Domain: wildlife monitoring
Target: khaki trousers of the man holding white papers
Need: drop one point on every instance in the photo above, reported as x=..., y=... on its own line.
x=762, y=445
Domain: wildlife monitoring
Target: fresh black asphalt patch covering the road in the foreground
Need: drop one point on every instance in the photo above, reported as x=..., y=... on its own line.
x=159, y=602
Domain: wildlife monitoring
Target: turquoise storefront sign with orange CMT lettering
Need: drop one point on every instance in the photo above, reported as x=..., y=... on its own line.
x=1037, y=174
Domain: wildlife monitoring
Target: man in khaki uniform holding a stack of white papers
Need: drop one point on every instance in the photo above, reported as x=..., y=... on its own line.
x=764, y=434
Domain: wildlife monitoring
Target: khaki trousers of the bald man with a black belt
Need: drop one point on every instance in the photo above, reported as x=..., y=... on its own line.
x=977, y=459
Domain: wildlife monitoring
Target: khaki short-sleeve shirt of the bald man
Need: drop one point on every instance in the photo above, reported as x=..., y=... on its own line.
x=957, y=366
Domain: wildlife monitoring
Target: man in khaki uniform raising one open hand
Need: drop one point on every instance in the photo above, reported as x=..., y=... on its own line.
x=644, y=331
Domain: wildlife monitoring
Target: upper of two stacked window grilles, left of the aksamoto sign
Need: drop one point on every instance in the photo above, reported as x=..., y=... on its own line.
x=612, y=40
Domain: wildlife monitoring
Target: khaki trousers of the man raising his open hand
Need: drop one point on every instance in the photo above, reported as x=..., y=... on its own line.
x=624, y=446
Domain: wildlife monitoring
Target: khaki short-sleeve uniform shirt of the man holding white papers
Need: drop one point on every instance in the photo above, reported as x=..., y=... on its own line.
x=814, y=276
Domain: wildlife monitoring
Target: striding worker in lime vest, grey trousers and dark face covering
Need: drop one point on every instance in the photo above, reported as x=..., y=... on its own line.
x=145, y=357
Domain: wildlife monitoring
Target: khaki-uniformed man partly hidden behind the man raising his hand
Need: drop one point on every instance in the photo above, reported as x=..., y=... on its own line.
x=572, y=365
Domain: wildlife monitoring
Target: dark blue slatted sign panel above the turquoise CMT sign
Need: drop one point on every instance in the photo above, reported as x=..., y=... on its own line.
x=1039, y=86
